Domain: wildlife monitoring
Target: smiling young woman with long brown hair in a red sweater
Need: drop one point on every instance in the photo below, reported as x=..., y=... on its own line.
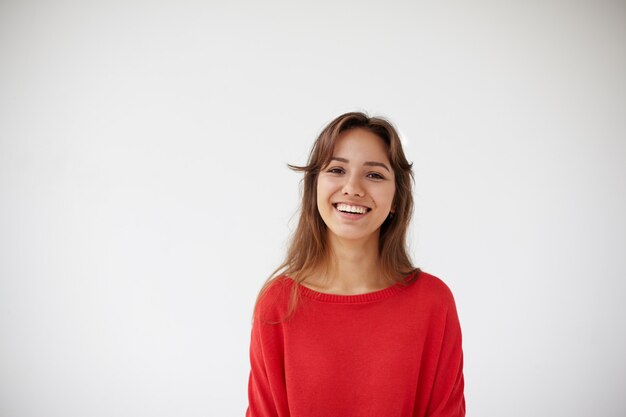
x=347, y=326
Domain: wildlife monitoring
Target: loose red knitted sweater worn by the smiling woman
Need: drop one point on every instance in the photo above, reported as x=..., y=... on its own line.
x=389, y=353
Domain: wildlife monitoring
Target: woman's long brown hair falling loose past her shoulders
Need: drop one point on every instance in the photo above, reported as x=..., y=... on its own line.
x=308, y=251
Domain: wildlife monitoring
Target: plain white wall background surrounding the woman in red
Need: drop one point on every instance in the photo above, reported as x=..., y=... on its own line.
x=145, y=196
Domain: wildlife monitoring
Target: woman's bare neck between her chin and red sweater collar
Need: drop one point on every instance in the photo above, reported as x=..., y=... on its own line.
x=353, y=268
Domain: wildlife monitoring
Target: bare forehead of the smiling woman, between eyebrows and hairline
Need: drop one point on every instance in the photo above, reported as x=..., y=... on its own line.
x=360, y=144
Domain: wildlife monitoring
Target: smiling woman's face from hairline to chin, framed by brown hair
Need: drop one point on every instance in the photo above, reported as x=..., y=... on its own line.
x=355, y=191
